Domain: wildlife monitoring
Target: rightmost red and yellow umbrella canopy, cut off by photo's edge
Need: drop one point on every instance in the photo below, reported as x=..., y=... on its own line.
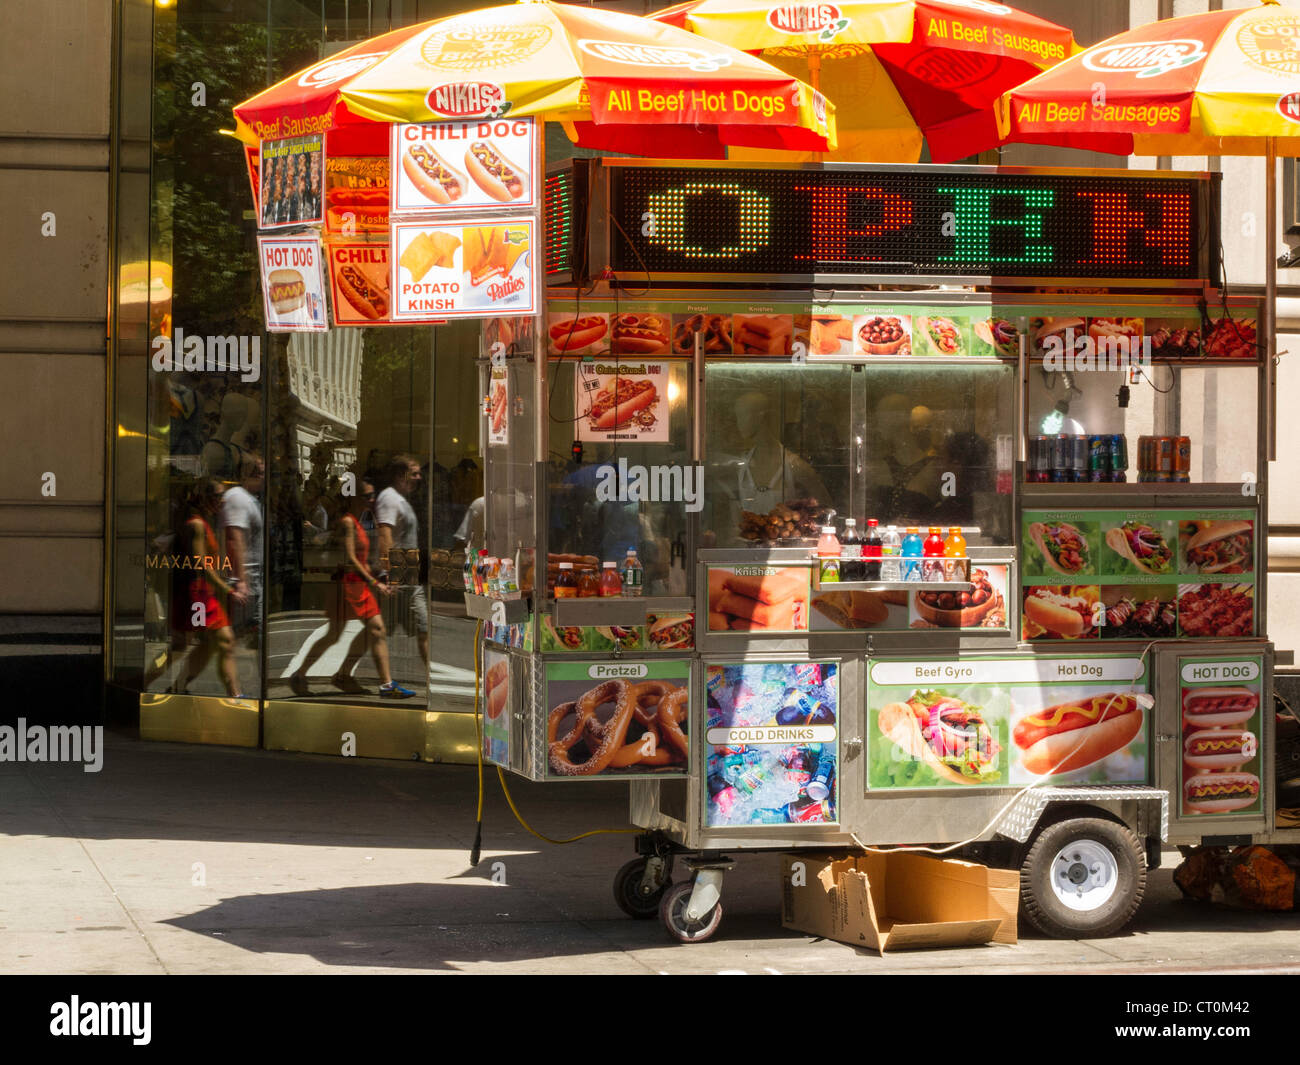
x=1215, y=84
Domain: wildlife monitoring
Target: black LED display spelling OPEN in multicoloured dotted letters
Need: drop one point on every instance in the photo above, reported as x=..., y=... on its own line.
x=926, y=223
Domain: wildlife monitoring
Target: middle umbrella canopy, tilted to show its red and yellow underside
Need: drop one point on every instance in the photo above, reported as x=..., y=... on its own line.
x=902, y=72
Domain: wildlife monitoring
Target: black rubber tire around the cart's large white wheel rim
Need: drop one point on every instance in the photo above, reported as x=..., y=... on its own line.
x=1038, y=899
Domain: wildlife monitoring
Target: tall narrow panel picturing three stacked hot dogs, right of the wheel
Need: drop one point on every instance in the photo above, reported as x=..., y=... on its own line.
x=1221, y=756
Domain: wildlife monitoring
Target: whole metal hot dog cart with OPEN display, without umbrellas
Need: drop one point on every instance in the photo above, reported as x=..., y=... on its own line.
x=733, y=360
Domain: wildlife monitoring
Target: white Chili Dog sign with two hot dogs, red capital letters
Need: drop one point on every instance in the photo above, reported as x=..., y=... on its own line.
x=441, y=167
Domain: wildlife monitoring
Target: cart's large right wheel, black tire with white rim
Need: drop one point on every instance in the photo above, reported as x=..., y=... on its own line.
x=1084, y=878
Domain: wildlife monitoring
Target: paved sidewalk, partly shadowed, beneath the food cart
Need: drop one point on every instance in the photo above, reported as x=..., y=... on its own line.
x=211, y=860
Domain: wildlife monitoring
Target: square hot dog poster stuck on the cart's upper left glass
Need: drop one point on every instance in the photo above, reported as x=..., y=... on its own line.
x=623, y=401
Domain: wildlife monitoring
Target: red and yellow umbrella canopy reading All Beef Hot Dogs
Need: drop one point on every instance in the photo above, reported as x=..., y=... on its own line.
x=617, y=83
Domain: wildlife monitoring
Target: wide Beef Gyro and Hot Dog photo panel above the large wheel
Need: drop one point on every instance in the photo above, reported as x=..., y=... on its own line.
x=998, y=722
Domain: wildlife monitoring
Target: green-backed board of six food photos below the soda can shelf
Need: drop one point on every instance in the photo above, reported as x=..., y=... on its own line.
x=1138, y=575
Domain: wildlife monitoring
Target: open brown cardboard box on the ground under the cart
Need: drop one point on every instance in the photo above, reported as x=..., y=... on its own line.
x=899, y=901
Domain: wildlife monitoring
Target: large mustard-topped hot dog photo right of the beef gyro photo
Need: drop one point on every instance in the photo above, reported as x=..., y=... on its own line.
x=1090, y=735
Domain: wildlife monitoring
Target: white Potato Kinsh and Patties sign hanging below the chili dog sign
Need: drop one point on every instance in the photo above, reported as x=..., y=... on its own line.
x=476, y=269
